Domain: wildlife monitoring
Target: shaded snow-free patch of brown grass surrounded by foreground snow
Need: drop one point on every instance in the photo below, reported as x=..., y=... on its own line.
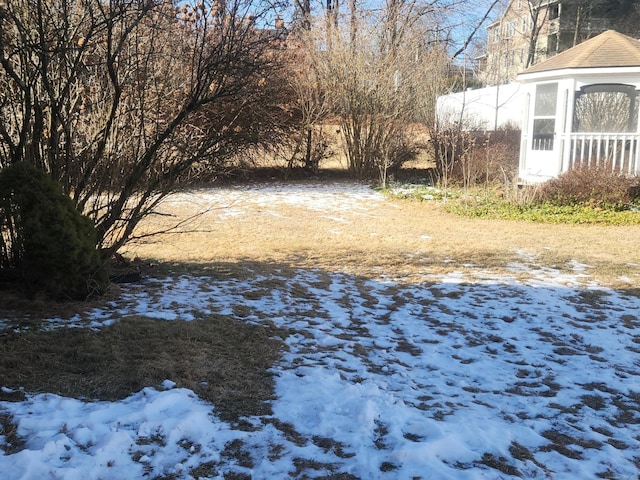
x=224, y=361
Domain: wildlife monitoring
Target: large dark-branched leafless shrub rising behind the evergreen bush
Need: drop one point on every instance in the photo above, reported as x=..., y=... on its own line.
x=119, y=100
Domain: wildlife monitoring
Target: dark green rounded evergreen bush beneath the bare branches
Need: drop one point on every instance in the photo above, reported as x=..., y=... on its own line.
x=50, y=244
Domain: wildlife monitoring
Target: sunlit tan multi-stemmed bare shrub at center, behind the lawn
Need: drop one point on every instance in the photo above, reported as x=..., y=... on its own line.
x=372, y=88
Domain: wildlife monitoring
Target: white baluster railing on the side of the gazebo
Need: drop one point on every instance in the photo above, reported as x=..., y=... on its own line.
x=619, y=151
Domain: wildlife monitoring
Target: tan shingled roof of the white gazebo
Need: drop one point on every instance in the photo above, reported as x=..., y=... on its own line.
x=609, y=49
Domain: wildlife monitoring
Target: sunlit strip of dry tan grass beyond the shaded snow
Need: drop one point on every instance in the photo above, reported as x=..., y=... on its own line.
x=401, y=238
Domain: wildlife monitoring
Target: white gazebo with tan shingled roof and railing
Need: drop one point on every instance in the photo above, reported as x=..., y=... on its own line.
x=581, y=109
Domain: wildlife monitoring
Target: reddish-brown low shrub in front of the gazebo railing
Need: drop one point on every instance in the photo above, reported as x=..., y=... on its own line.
x=598, y=187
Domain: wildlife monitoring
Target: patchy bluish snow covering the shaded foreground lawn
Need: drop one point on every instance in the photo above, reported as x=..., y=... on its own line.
x=451, y=376
